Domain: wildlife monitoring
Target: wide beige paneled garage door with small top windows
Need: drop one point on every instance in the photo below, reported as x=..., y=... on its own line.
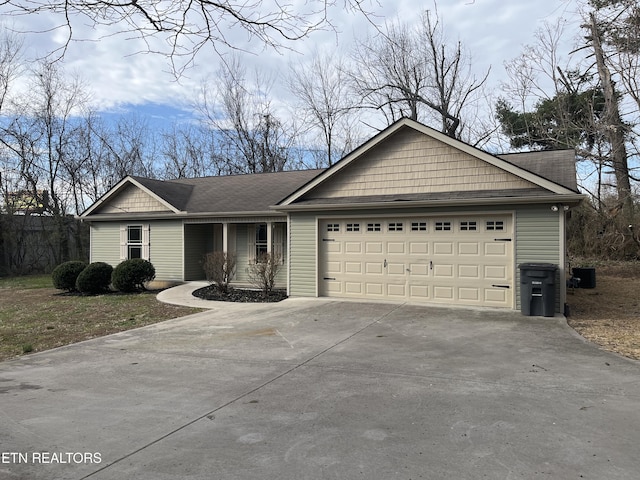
x=455, y=260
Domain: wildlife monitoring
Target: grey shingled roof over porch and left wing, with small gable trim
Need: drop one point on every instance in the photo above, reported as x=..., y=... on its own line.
x=251, y=193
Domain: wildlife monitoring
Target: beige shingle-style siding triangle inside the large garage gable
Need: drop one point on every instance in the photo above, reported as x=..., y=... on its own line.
x=410, y=162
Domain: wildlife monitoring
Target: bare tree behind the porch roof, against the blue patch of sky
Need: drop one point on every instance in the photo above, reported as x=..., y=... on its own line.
x=251, y=136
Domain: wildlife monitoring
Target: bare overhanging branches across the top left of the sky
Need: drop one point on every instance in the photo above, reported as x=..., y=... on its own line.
x=184, y=27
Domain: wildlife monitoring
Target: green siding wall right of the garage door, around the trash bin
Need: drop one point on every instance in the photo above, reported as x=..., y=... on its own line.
x=537, y=241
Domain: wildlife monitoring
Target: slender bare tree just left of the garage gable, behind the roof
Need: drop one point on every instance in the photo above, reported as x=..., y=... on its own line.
x=330, y=115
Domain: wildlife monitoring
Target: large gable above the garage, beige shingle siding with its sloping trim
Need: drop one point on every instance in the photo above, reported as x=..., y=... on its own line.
x=409, y=158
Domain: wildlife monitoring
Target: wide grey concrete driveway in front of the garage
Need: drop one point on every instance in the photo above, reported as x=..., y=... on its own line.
x=320, y=389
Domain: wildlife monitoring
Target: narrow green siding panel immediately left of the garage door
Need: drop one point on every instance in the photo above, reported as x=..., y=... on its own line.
x=303, y=254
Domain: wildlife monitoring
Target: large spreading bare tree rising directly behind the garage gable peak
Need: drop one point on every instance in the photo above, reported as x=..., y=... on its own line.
x=412, y=73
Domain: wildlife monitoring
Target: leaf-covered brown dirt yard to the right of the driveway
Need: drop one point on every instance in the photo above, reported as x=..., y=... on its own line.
x=609, y=315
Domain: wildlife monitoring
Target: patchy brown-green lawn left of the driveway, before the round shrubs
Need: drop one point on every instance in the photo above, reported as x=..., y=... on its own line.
x=35, y=317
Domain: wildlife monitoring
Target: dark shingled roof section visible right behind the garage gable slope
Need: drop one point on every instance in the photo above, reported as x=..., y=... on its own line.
x=559, y=166
